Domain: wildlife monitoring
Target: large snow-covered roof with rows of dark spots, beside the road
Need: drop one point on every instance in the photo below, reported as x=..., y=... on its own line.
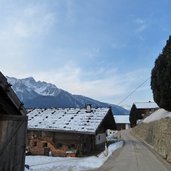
x=68, y=119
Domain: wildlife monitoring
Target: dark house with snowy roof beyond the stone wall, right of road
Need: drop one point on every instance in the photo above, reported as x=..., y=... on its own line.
x=141, y=110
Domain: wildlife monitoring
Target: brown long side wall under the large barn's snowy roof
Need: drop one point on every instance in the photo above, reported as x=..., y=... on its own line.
x=83, y=143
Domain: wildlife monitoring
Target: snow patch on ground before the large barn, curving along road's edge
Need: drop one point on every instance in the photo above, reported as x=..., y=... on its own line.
x=45, y=163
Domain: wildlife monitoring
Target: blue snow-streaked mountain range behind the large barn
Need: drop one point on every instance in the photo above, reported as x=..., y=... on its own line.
x=38, y=94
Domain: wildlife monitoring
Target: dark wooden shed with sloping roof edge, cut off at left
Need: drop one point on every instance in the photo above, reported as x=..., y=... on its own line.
x=13, y=127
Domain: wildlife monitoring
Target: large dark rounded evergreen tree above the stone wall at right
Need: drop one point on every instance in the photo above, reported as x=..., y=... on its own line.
x=161, y=78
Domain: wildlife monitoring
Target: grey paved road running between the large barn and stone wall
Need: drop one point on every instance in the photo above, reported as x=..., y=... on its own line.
x=134, y=156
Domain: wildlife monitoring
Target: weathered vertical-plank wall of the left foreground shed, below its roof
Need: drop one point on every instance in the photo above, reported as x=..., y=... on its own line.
x=12, y=142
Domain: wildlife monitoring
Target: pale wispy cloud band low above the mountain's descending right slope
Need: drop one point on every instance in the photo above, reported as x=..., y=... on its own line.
x=103, y=83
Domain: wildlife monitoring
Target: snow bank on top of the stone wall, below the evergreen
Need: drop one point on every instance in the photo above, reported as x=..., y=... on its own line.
x=157, y=115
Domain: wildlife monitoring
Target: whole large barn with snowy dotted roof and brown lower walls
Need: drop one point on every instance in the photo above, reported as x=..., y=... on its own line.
x=68, y=132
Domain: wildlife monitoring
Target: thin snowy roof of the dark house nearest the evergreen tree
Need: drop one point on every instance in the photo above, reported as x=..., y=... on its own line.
x=146, y=105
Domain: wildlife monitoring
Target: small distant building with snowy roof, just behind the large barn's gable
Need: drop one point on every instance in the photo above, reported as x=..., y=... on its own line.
x=122, y=122
